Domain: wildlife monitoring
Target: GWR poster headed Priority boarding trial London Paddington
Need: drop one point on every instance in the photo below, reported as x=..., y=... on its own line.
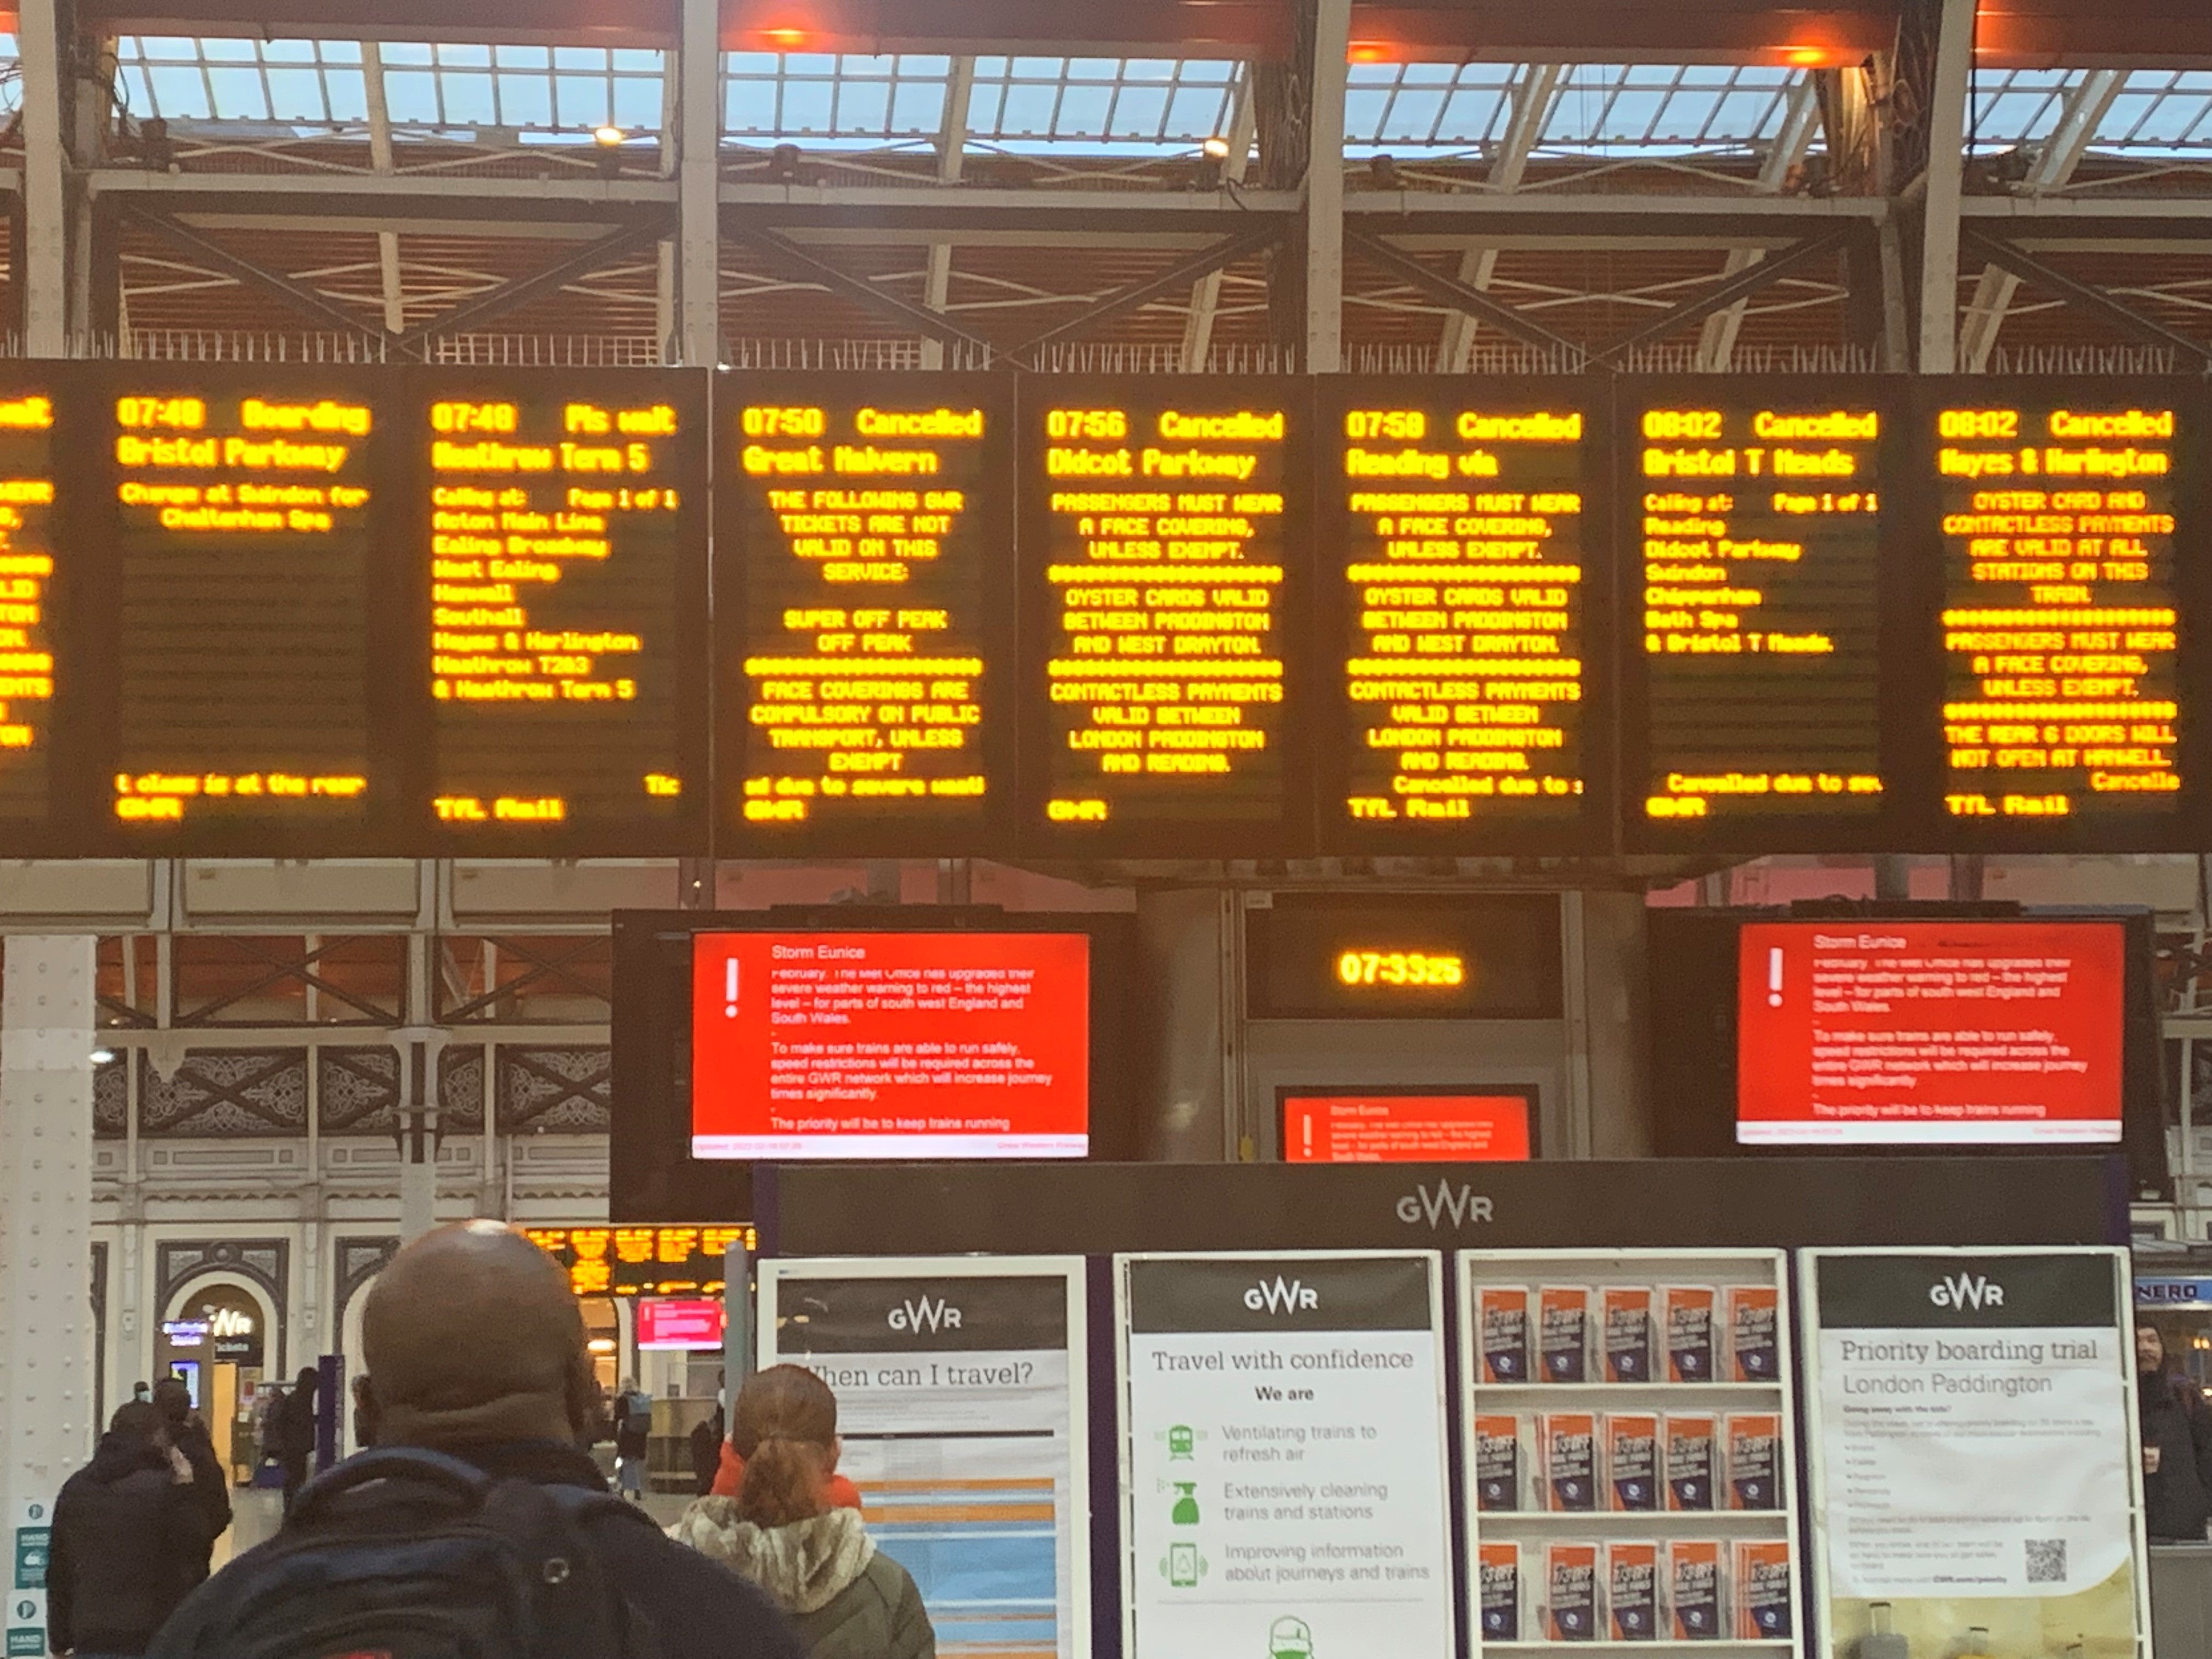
x=1976, y=1483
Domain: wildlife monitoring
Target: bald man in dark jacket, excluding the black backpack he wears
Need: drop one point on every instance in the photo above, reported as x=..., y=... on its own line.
x=474, y=1348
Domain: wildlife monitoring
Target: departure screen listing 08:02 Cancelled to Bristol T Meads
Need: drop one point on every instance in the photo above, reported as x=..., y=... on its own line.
x=1760, y=543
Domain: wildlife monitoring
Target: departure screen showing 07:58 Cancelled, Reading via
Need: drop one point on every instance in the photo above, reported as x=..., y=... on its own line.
x=1459, y=596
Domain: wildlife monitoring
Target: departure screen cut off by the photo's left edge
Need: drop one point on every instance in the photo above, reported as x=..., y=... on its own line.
x=28, y=636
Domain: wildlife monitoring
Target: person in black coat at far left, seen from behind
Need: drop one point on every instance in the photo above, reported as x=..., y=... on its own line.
x=129, y=1541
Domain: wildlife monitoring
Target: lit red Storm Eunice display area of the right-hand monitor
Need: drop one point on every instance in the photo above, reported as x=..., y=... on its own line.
x=1930, y=1034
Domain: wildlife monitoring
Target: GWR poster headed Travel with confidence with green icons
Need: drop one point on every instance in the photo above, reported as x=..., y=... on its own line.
x=1284, y=1457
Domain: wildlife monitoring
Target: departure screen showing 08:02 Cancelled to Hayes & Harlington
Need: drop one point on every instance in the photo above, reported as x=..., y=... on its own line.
x=2060, y=623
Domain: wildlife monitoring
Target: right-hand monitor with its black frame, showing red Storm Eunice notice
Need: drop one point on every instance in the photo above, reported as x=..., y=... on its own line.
x=1906, y=1027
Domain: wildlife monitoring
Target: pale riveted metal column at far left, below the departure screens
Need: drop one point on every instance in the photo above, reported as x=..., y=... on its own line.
x=45, y=1253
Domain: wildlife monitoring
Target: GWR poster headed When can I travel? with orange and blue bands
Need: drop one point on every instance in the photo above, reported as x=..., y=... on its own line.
x=963, y=1410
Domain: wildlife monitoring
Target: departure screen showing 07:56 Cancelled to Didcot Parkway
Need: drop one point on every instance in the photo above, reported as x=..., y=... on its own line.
x=1165, y=554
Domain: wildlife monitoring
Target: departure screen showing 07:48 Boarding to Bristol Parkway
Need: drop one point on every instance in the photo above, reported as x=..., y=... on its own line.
x=242, y=519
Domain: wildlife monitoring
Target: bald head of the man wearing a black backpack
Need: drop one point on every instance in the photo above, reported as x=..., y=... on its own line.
x=474, y=1339
